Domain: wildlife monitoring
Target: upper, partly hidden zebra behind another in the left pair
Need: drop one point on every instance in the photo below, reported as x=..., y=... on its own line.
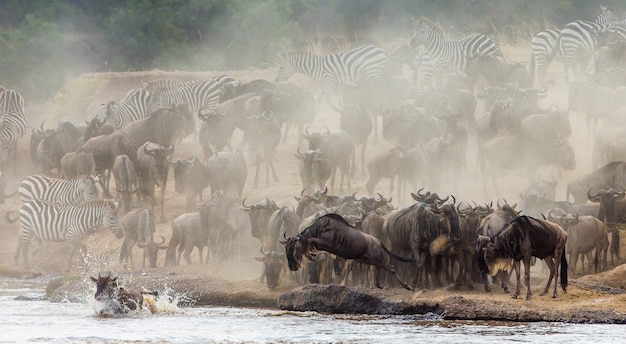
x=58, y=191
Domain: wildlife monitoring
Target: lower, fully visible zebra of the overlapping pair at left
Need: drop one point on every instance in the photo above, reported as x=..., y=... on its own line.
x=57, y=223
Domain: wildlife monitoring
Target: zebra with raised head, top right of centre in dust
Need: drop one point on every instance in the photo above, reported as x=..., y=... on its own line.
x=450, y=55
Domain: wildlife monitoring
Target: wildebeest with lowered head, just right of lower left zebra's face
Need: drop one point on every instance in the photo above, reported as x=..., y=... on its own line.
x=139, y=230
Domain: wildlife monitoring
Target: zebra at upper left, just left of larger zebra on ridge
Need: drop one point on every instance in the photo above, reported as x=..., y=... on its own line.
x=134, y=106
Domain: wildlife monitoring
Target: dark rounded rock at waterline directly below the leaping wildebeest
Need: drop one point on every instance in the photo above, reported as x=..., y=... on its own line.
x=346, y=300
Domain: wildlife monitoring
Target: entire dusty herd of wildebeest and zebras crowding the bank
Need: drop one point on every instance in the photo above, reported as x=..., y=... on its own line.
x=470, y=116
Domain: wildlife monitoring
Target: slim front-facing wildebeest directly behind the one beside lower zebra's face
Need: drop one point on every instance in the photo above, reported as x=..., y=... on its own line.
x=152, y=169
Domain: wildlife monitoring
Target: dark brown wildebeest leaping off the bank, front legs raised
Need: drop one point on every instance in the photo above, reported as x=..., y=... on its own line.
x=333, y=234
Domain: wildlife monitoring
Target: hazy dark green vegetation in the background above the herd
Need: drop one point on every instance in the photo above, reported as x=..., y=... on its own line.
x=44, y=43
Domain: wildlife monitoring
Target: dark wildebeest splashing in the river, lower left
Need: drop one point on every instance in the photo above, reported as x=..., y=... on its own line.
x=119, y=299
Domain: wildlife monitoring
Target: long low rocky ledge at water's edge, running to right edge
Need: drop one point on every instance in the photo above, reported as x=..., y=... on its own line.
x=338, y=299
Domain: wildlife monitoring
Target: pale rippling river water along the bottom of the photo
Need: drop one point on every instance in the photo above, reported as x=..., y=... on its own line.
x=26, y=317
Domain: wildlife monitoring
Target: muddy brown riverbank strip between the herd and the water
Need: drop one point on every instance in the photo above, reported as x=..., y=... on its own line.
x=586, y=301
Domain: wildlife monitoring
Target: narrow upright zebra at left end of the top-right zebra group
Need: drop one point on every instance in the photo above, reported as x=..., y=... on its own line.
x=544, y=48
